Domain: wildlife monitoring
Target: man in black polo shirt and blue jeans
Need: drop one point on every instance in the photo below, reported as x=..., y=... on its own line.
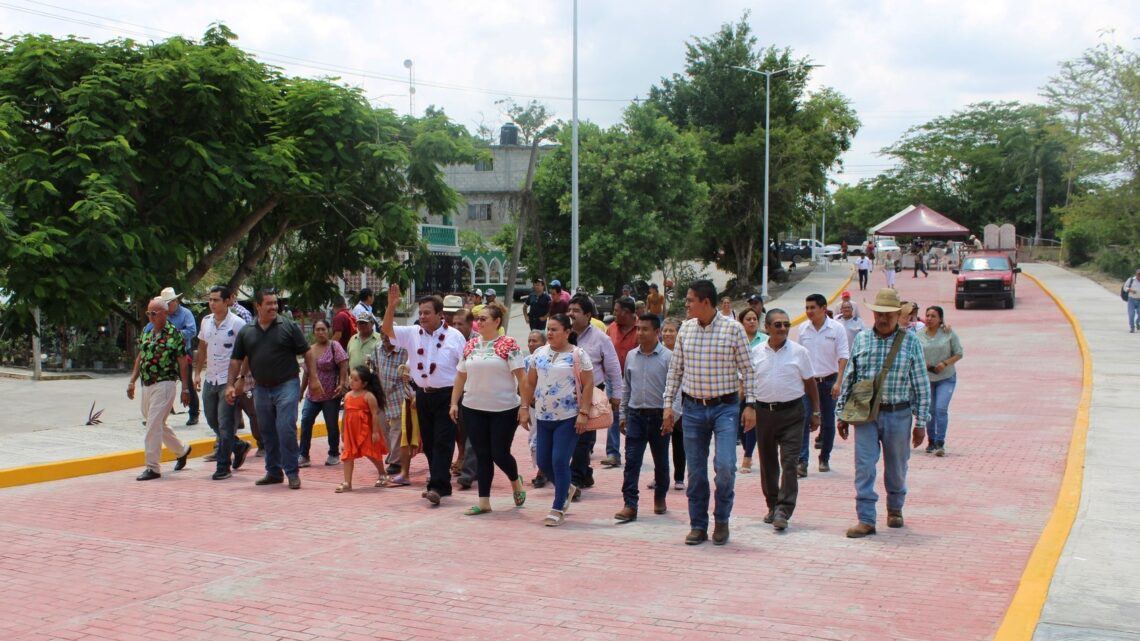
x=272, y=346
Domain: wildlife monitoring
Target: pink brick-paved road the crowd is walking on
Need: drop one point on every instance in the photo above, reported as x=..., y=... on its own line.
x=185, y=558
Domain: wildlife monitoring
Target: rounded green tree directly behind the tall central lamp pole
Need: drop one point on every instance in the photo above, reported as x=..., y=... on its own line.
x=639, y=198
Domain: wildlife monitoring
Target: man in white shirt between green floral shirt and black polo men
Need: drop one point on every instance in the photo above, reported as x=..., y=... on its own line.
x=211, y=372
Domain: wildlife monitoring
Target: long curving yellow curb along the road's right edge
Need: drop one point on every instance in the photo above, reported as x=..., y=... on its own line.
x=1021, y=620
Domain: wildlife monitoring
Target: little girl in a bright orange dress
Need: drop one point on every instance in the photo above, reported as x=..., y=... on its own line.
x=364, y=425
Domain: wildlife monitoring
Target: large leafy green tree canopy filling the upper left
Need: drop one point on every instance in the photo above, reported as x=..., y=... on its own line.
x=128, y=167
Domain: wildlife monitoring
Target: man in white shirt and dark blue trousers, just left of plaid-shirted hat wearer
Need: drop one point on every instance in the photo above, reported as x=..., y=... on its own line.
x=827, y=346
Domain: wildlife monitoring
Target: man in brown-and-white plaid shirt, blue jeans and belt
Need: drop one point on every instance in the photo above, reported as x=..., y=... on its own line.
x=710, y=360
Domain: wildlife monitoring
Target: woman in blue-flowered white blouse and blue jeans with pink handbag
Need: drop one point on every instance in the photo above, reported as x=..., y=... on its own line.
x=553, y=388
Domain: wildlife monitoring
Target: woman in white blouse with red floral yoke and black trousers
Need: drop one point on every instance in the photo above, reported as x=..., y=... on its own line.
x=488, y=380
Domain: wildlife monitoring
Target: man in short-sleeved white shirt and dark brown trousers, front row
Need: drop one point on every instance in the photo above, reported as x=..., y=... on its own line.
x=784, y=376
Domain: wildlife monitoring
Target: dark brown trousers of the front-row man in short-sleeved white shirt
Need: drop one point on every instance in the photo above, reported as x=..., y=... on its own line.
x=779, y=441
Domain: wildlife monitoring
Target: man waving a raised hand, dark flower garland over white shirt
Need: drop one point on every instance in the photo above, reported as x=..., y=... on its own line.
x=434, y=353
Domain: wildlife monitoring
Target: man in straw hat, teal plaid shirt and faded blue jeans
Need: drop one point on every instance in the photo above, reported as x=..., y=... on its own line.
x=906, y=392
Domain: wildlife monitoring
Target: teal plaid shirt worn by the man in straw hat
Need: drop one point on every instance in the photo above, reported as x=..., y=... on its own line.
x=907, y=379
